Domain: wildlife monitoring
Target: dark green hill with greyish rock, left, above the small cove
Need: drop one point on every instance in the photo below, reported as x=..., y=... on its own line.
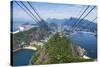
x=27, y=36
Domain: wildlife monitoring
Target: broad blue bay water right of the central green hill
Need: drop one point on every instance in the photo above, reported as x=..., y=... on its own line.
x=86, y=41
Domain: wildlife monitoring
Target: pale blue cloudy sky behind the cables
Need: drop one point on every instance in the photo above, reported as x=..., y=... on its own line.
x=48, y=10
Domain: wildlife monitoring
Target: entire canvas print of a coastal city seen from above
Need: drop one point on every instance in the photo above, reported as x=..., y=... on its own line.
x=50, y=33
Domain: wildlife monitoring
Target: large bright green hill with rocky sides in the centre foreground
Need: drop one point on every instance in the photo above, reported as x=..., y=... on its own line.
x=59, y=50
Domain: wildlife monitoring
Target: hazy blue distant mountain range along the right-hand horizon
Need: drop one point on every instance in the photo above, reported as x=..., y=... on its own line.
x=71, y=21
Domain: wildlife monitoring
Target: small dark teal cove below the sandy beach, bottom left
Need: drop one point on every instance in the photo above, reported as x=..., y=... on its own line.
x=22, y=57
